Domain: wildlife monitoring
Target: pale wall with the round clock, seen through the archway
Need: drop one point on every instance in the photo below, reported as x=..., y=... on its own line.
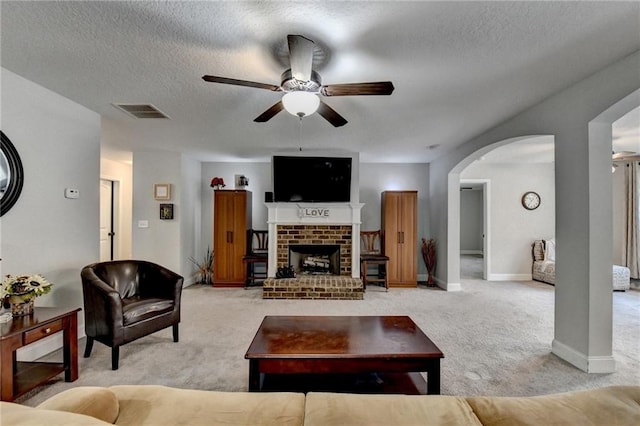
x=513, y=228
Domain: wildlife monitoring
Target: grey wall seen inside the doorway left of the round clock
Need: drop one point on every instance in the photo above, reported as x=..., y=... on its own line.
x=471, y=221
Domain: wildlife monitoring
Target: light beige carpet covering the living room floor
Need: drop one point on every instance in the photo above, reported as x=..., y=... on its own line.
x=496, y=337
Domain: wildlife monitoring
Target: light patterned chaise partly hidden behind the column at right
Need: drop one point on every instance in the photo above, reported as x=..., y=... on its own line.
x=544, y=266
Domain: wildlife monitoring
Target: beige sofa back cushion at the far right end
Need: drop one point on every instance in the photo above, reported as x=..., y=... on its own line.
x=616, y=405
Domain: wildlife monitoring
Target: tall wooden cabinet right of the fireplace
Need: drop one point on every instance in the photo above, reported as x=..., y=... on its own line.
x=399, y=224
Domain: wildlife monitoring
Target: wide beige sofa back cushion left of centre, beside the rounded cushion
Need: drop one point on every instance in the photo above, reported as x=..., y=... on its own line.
x=160, y=405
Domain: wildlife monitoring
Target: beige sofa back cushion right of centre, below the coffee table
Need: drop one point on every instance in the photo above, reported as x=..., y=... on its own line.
x=351, y=409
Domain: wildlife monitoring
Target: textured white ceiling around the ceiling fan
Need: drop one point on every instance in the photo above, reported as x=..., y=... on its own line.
x=458, y=68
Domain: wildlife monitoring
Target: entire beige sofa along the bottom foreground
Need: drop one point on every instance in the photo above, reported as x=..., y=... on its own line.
x=158, y=405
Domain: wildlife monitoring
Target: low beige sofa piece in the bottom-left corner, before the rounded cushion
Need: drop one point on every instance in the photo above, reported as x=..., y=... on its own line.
x=15, y=414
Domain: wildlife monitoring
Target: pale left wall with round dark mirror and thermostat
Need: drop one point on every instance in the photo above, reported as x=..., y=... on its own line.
x=59, y=144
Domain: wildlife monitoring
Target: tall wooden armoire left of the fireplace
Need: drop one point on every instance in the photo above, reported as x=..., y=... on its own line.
x=231, y=220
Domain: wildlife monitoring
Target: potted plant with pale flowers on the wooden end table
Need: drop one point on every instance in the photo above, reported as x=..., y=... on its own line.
x=20, y=291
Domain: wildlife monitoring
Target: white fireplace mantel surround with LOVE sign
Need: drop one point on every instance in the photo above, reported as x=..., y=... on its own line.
x=314, y=214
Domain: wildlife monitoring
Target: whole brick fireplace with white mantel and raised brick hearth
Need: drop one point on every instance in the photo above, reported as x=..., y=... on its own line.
x=334, y=225
